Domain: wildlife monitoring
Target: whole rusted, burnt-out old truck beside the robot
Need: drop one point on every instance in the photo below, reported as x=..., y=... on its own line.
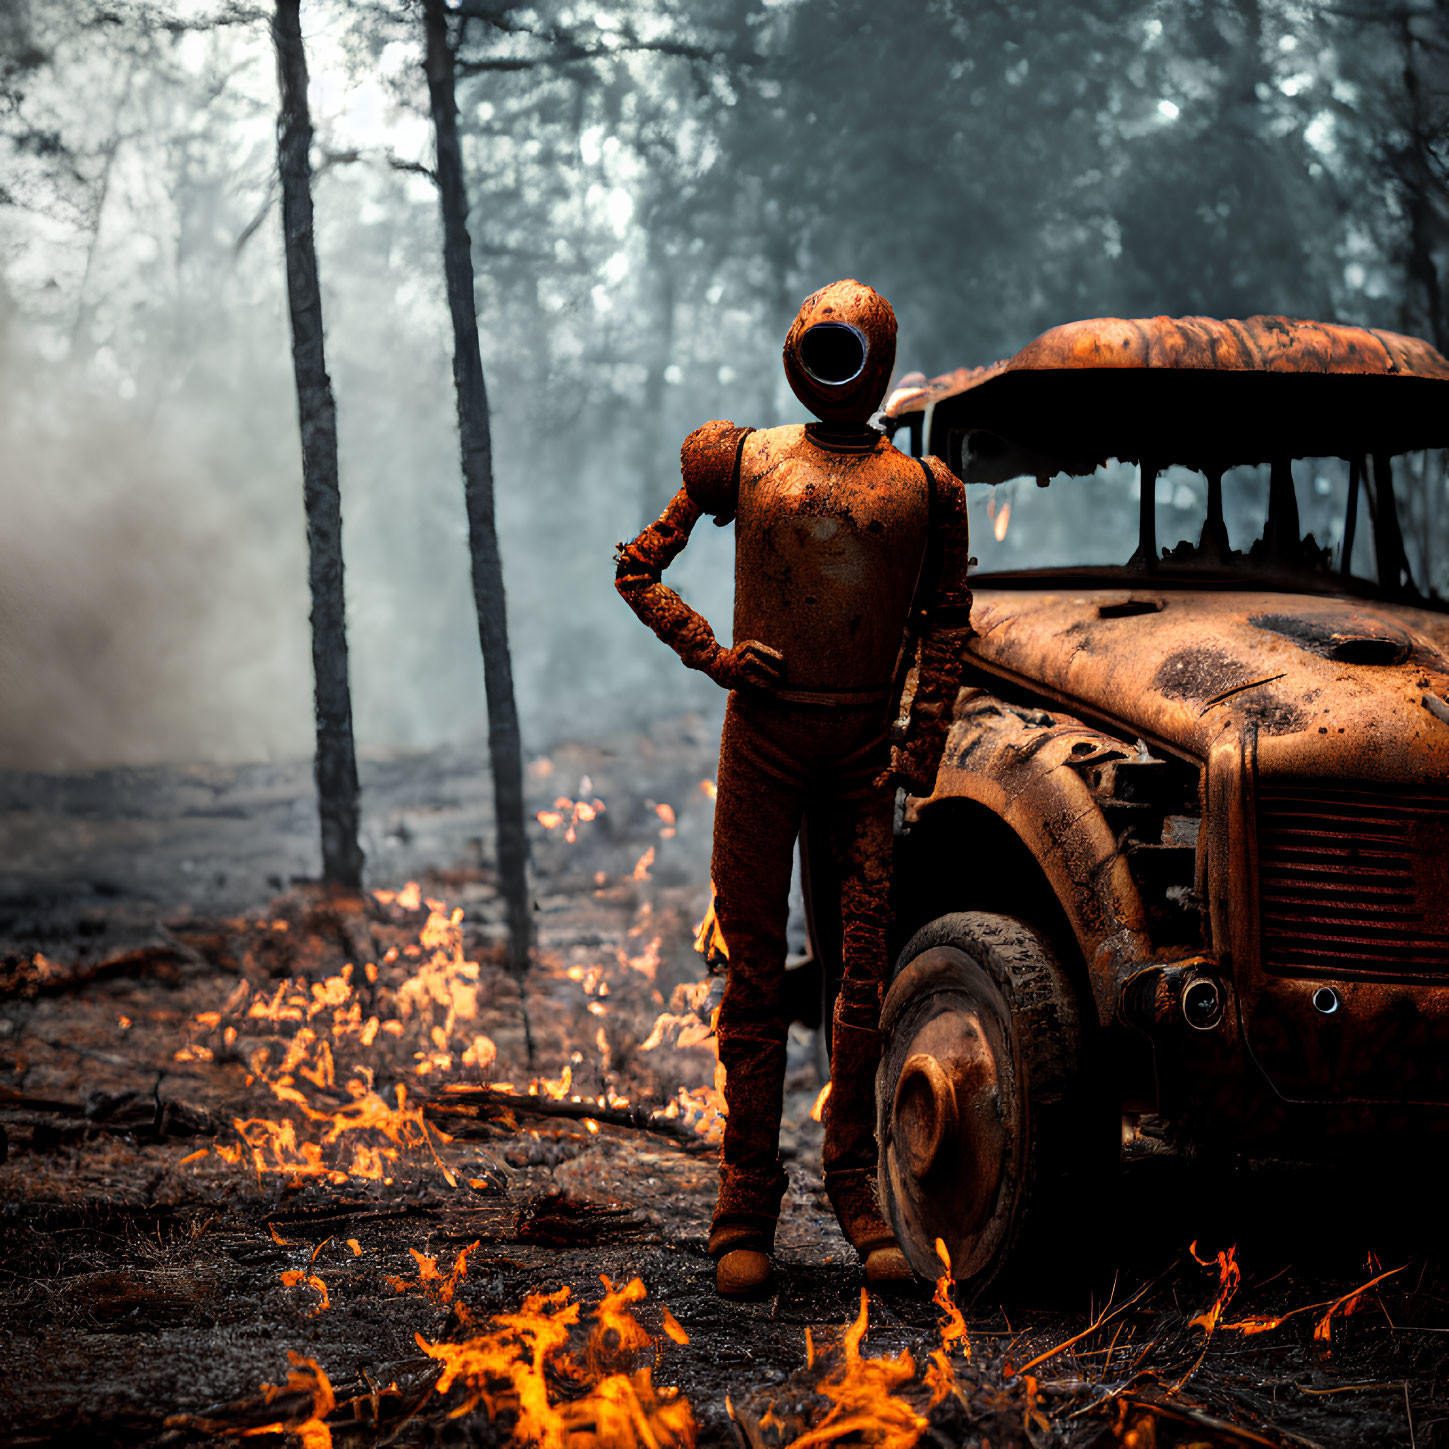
x=1185, y=876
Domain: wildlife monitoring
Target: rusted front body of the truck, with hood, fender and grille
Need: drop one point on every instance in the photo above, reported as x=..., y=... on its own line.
x=1316, y=856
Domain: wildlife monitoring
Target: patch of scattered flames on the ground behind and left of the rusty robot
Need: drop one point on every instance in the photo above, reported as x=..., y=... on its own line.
x=351, y=1063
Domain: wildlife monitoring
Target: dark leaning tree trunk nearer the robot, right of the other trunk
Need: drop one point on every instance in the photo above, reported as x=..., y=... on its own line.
x=505, y=746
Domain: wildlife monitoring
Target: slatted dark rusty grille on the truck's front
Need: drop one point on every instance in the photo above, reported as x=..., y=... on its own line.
x=1354, y=880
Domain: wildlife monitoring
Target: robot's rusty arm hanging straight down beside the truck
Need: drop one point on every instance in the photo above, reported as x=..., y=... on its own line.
x=945, y=634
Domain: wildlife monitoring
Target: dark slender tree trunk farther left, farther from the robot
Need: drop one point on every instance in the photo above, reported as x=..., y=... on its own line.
x=337, y=770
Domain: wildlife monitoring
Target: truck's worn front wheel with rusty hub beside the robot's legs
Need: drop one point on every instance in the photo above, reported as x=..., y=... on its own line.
x=992, y=1132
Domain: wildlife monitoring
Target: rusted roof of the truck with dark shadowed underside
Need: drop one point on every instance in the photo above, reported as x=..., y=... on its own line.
x=1200, y=392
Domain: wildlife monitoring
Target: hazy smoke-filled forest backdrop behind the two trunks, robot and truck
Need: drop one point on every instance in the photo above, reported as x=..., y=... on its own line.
x=654, y=188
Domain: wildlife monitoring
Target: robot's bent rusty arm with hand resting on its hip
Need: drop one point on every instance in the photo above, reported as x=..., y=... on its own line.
x=711, y=466
